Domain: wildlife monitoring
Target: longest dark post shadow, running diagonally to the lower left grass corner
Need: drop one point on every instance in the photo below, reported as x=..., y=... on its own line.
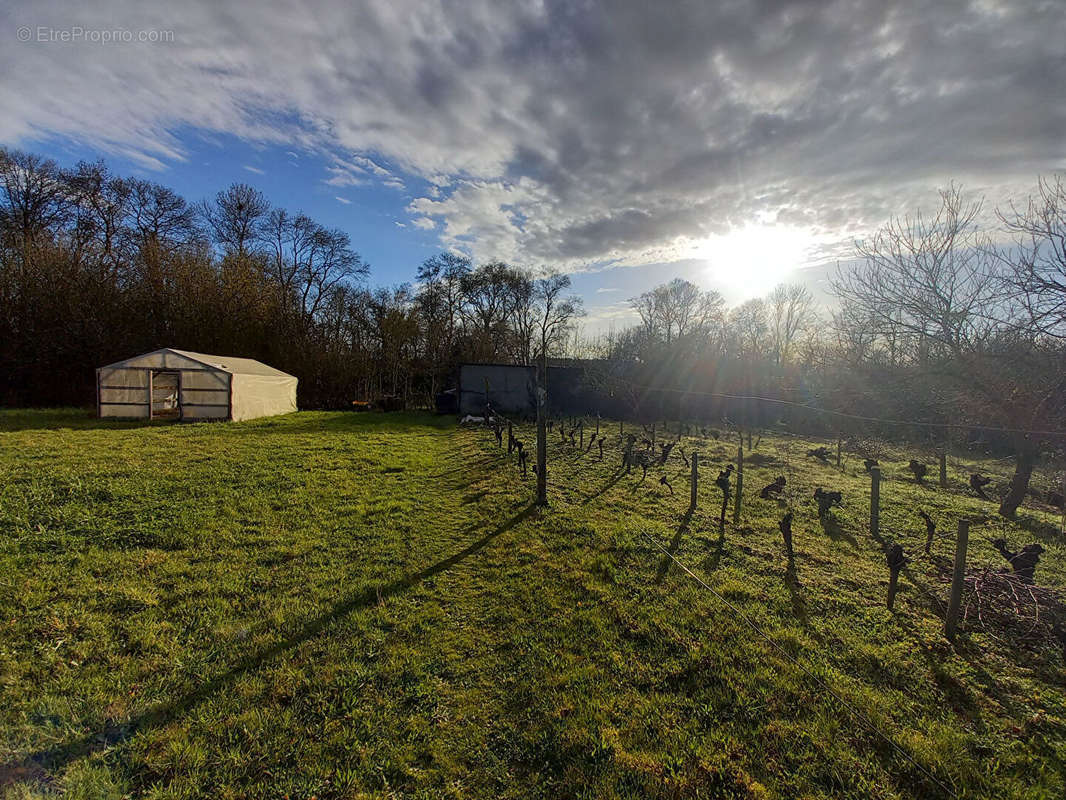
x=58, y=757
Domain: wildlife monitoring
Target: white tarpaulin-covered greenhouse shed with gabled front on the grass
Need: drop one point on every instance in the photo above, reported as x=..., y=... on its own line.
x=187, y=386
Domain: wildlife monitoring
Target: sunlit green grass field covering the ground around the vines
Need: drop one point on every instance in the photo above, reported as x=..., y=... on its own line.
x=347, y=606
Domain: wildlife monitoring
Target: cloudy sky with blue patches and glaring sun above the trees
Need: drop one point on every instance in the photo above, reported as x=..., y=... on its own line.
x=735, y=145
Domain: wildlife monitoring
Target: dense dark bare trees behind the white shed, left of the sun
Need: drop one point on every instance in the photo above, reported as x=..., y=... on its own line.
x=96, y=267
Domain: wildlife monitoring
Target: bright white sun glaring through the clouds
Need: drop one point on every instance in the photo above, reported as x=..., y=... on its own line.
x=752, y=261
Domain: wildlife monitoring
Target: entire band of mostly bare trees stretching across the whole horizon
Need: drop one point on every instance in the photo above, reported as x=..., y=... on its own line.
x=940, y=321
